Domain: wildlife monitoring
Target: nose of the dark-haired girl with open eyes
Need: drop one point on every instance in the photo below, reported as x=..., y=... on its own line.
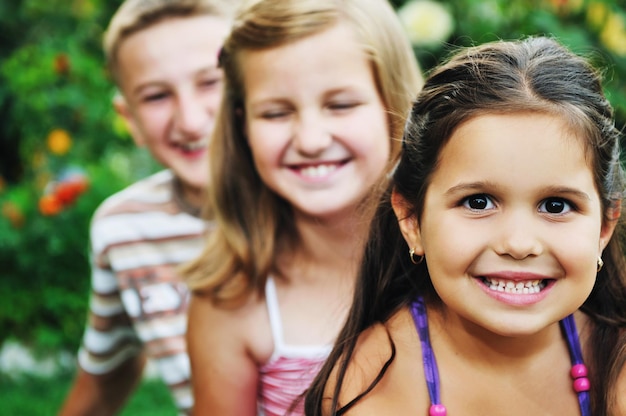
x=519, y=235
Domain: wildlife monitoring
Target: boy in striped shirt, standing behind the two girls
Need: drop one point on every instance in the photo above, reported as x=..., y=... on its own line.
x=163, y=57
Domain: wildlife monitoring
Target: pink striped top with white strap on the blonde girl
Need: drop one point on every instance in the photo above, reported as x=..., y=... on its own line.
x=289, y=371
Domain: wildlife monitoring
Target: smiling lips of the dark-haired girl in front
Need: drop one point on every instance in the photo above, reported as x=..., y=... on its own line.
x=516, y=299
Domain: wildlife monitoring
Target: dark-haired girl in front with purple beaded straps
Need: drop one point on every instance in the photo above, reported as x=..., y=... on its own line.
x=506, y=198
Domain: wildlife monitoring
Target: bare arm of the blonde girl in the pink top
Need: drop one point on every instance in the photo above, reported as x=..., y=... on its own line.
x=224, y=374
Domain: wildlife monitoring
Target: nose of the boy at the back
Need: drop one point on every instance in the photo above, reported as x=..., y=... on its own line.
x=192, y=116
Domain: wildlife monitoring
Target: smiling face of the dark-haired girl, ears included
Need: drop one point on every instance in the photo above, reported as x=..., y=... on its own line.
x=512, y=223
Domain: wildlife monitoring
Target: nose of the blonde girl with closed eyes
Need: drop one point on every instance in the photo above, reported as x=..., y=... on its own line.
x=311, y=136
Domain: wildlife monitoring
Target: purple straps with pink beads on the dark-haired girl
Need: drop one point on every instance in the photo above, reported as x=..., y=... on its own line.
x=578, y=371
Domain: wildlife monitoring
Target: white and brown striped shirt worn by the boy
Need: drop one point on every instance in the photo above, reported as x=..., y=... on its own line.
x=138, y=302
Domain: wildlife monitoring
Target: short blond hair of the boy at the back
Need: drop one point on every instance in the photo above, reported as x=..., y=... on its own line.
x=136, y=15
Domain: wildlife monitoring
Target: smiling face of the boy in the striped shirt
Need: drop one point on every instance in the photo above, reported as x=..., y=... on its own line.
x=172, y=89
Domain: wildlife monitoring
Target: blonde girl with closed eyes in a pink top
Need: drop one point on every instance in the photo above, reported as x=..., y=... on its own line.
x=317, y=93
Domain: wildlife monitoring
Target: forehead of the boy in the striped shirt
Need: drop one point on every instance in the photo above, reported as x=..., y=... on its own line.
x=171, y=48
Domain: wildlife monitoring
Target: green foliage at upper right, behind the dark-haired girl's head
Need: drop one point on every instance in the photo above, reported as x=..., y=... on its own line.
x=595, y=28
